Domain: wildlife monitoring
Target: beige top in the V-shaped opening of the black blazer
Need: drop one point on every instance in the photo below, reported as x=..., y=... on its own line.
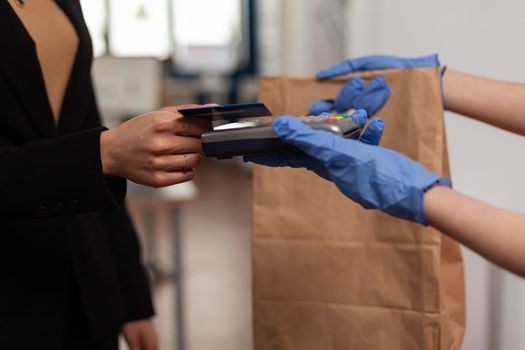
x=56, y=45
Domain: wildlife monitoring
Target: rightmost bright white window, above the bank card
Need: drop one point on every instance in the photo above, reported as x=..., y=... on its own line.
x=208, y=35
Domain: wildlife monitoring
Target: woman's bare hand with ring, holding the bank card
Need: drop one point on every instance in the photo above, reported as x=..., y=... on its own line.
x=156, y=149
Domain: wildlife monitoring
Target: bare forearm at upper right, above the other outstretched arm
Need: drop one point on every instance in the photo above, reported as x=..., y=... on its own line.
x=498, y=103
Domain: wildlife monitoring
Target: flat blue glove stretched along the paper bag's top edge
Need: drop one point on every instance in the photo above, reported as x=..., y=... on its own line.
x=368, y=63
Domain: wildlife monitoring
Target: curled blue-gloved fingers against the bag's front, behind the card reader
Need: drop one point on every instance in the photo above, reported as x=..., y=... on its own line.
x=357, y=95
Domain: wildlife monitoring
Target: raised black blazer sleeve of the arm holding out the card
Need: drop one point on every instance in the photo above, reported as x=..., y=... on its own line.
x=56, y=177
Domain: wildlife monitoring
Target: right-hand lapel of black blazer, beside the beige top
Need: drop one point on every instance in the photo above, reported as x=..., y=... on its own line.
x=77, y=97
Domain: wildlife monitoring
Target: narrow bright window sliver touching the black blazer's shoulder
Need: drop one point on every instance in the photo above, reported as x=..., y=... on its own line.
x=95, y=16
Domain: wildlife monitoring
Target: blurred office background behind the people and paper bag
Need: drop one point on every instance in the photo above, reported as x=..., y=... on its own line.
x=196, y=236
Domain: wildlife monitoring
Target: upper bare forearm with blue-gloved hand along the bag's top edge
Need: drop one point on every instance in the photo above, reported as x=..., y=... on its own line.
x=498, y=103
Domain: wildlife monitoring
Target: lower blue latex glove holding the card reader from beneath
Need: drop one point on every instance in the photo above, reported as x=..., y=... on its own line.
x=374, y=177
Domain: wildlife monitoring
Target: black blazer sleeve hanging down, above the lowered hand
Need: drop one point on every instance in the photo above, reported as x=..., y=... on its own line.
x=134, y=282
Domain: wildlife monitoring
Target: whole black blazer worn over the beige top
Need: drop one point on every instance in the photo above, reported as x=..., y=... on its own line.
x=62, y=223
